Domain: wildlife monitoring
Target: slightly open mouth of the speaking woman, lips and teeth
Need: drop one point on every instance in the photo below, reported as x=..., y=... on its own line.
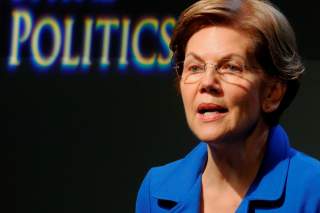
x=211, y=112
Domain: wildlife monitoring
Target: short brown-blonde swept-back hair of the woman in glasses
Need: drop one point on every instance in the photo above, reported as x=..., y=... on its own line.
x=274, y=43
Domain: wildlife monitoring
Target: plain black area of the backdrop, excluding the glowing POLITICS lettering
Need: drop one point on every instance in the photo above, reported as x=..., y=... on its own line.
x=83, y=142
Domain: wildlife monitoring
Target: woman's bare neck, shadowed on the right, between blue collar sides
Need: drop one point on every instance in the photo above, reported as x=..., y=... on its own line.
x=234, y=165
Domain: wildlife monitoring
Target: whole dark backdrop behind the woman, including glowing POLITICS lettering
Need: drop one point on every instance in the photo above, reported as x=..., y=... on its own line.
x=88, y=100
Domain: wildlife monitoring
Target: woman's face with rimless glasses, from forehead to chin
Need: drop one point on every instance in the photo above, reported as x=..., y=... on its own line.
x=221, y=108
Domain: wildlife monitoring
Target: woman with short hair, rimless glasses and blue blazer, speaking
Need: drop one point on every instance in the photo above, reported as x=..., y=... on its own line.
x=238, y=70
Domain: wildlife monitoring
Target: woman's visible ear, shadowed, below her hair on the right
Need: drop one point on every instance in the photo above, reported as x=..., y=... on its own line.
x=274, y=92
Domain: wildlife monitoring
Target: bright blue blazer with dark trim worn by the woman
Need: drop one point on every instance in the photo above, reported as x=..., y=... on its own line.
x=287, y=182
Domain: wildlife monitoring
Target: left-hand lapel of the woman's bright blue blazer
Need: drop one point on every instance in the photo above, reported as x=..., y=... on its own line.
x=183, y=186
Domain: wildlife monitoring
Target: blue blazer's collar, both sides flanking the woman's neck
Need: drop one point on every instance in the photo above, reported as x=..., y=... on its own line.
x=268, y=185
